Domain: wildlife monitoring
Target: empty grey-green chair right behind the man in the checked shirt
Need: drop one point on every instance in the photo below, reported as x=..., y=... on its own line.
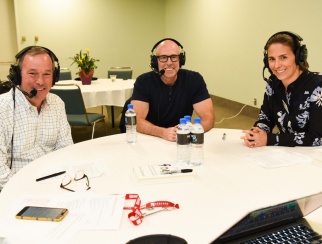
x=75, y=107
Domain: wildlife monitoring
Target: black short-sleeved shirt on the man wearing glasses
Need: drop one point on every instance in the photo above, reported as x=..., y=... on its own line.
x=167, y=104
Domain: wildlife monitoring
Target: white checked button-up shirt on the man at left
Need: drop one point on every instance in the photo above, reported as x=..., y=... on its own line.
x=34, y=134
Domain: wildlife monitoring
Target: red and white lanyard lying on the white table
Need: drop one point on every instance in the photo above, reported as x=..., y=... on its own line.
x=136, y=216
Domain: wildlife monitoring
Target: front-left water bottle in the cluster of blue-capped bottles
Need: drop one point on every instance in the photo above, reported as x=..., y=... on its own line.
x=183, y=142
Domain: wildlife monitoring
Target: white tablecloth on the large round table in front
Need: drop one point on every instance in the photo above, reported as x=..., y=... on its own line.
x=226, y=188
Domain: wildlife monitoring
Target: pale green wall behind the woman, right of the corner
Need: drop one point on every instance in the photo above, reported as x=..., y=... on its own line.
x=224, y=39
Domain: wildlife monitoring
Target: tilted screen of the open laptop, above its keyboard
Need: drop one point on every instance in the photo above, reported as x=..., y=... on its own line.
x=273, y=216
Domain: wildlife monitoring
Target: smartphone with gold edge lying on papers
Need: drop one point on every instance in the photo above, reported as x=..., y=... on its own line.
x=42, y=213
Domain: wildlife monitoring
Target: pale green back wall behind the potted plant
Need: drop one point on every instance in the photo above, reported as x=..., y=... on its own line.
x=118, y=32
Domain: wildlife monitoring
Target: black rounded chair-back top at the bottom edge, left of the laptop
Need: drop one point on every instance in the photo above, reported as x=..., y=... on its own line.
x=158, y=239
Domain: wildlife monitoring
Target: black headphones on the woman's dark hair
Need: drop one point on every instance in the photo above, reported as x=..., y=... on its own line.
x=300, y=52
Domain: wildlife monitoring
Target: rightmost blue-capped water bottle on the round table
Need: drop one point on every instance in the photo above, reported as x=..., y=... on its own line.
x=197, y=141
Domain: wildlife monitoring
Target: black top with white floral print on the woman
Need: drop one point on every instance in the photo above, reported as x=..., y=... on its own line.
x=297, y=112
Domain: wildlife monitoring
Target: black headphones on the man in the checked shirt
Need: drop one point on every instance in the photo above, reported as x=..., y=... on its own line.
x=15, y=72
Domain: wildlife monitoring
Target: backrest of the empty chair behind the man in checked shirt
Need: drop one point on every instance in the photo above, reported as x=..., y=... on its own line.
x=72, y=97
